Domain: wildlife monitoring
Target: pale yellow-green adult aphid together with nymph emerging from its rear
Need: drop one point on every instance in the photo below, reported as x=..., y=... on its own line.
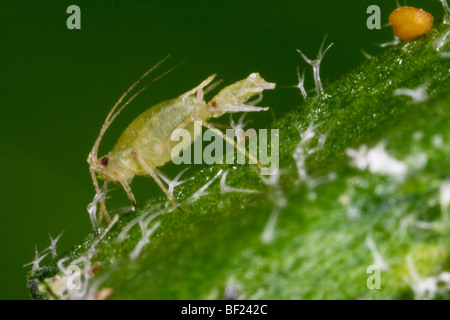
x=146, y=143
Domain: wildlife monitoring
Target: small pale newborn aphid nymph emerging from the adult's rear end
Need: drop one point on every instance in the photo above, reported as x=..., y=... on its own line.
x=234, y=98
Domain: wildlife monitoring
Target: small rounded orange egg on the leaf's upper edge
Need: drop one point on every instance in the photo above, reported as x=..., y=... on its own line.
x=409, y=22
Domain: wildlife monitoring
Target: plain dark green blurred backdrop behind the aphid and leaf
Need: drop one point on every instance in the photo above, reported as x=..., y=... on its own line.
x=57, y=86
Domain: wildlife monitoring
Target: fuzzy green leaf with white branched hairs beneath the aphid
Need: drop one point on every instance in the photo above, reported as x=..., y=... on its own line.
x=364, y=181
